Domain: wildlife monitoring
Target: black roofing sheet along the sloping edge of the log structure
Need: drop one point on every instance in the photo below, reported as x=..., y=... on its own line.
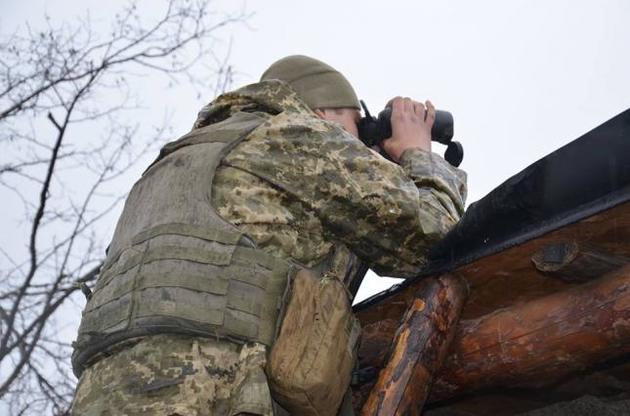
x=587, y=176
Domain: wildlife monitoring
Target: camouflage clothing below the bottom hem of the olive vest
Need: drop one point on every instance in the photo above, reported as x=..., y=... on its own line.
x=171, y=375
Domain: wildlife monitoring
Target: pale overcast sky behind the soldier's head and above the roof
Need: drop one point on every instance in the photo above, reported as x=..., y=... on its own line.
x=522, y=78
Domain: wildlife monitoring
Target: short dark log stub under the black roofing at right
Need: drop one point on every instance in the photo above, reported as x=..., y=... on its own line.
x=576, y=262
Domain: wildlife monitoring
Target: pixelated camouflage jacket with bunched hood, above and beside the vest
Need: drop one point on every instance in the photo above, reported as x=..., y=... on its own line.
x=299, y=184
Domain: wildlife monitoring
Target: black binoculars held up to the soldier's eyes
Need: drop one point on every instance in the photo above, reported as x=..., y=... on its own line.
x=372, y=131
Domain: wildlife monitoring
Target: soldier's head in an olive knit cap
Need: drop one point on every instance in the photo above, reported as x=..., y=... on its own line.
x=324, y=89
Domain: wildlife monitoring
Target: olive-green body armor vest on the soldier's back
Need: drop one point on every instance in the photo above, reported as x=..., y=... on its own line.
x=174, y=265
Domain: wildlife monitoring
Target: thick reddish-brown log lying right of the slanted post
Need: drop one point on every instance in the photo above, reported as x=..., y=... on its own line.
x=542, y=341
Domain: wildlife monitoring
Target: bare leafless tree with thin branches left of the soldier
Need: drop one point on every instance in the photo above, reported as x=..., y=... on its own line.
x=65, y=93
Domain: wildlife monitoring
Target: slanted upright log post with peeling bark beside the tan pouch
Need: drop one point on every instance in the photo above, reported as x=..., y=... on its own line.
x=419, y=348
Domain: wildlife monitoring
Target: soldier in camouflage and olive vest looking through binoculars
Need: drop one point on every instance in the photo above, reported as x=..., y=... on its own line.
x=271, y=179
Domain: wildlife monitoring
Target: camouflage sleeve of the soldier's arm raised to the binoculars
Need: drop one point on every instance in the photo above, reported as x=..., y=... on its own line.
x=388, y=214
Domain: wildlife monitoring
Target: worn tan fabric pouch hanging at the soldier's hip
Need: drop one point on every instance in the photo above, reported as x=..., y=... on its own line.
x=311, y=361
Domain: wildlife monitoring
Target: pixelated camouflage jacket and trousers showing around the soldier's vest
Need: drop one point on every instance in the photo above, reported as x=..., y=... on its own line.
x=301, y=188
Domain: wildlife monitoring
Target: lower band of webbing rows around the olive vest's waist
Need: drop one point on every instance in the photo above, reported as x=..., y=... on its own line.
x=235, y=297
